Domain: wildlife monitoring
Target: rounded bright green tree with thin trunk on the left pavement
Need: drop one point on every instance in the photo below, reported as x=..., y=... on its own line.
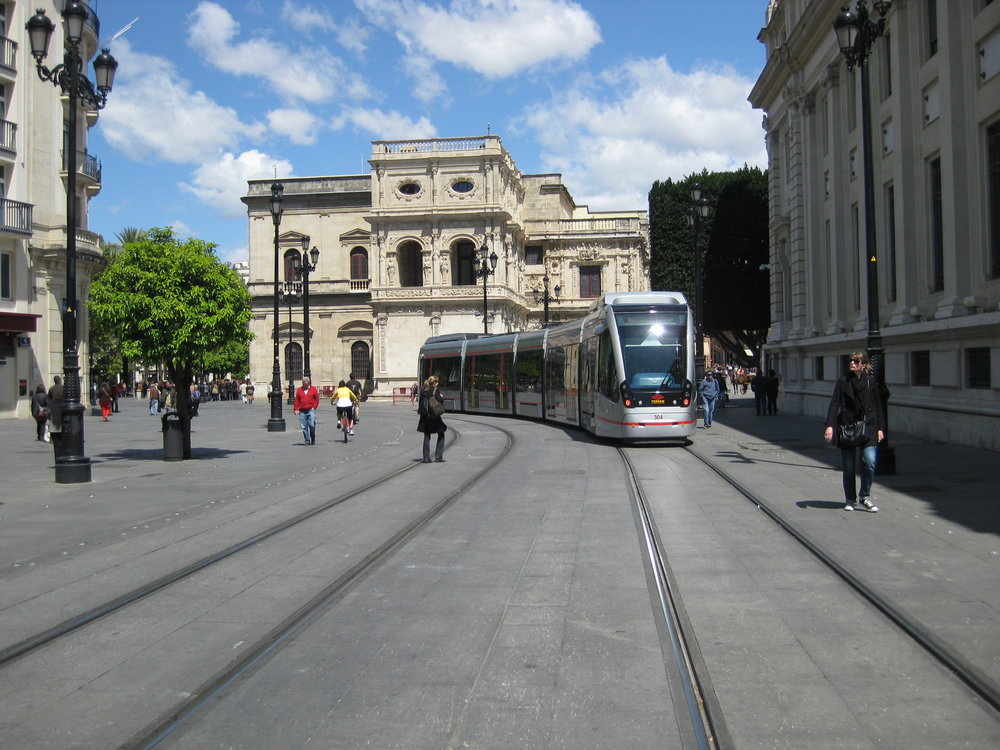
x=172, y=302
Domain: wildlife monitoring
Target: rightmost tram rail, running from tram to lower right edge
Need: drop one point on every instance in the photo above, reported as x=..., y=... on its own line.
x=963, y=669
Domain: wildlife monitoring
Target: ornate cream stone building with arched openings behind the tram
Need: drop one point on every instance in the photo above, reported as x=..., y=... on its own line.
x=399, y=253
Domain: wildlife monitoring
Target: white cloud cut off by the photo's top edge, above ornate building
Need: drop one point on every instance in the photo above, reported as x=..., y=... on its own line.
x=495, y=38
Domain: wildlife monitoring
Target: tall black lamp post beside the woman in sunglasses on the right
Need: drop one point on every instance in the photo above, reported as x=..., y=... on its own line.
x=856, y=32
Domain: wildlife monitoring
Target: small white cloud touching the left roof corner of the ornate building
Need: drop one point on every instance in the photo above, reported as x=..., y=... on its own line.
x=222, y=182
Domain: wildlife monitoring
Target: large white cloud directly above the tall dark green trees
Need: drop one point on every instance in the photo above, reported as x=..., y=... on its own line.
x=611, y=136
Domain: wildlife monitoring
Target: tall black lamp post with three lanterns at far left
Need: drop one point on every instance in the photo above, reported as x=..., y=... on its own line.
x=72, y=466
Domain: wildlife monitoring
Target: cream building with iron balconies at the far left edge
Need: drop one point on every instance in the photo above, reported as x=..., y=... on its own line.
x=33, y=171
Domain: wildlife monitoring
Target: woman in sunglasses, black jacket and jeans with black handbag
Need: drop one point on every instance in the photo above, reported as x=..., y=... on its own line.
x=856, y=398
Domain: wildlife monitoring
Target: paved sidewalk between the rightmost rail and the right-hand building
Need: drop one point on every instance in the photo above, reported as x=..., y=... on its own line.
x=932, y=550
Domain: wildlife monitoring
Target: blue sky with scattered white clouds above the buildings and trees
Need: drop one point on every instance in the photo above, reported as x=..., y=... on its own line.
x=611, y=94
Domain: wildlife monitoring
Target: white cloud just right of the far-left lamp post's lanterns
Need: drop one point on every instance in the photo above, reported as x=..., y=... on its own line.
x=154, y=113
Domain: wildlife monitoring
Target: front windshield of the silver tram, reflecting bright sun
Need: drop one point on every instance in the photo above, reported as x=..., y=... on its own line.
x=654, y=348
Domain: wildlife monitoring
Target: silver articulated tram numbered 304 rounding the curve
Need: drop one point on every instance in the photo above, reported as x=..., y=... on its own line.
x=625, y=371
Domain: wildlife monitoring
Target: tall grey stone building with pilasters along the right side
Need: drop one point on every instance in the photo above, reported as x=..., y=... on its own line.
x=935, y=103
